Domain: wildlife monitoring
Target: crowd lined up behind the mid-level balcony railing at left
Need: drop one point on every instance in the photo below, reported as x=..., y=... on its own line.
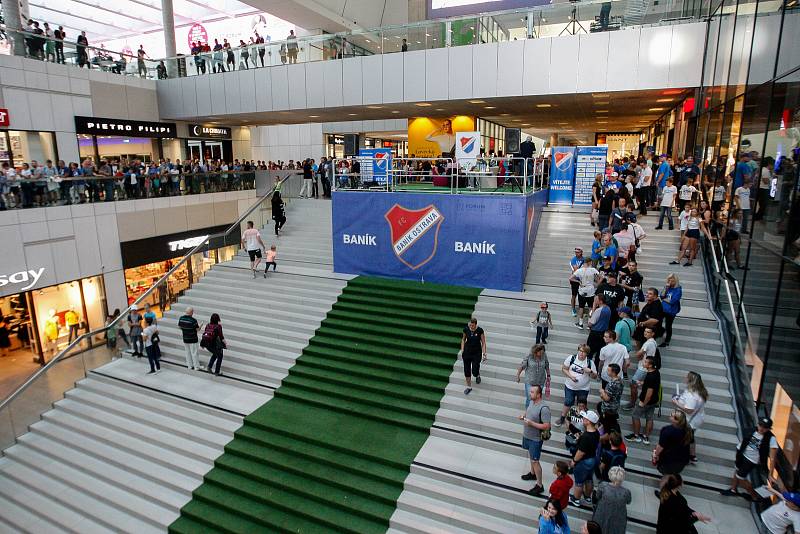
x=35, y=185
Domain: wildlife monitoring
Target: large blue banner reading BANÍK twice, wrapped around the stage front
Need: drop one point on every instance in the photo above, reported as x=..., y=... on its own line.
x=471, y=240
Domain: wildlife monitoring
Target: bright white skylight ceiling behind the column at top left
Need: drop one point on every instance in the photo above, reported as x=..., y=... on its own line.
x=106, y=20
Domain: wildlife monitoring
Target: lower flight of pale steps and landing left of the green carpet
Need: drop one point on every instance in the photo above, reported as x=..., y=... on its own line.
x=120, y=452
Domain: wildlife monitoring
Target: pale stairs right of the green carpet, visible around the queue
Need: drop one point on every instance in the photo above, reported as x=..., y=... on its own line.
x=484, y=427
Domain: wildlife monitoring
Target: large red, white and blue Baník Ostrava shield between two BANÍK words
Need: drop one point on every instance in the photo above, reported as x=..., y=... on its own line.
x=414, y=233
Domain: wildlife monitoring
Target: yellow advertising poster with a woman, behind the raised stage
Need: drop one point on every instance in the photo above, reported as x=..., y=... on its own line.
x=431, y=137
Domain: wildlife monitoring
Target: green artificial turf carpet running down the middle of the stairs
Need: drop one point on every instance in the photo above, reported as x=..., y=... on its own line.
x=331, y=450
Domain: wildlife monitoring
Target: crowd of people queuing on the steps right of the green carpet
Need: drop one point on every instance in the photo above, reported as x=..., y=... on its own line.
x=629, y=328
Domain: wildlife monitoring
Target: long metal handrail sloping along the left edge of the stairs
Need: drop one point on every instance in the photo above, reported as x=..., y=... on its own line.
x=164, y=279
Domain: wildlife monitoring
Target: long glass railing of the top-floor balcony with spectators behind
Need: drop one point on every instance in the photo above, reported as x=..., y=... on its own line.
x=564, y=18
